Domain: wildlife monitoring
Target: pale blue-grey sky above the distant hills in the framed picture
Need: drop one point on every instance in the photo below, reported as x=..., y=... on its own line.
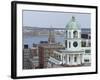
x=55, y=19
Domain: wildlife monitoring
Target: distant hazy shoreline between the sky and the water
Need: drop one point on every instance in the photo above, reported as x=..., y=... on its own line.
x=36, y=31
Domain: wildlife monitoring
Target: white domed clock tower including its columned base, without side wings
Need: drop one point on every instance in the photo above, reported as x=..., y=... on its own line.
x=74, y=52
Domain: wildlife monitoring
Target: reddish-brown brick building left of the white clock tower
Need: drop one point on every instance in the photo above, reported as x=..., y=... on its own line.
x=45, y=51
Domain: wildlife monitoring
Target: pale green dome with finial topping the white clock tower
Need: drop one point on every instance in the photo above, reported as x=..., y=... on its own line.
x=73, y=24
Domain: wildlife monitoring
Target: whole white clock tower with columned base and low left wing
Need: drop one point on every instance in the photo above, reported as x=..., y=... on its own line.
x=73, y=54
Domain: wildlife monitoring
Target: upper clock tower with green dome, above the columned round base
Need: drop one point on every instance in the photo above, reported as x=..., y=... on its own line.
x=73, y=35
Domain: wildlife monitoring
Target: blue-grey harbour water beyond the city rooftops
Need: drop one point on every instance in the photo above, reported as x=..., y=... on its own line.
x=29, y=39
